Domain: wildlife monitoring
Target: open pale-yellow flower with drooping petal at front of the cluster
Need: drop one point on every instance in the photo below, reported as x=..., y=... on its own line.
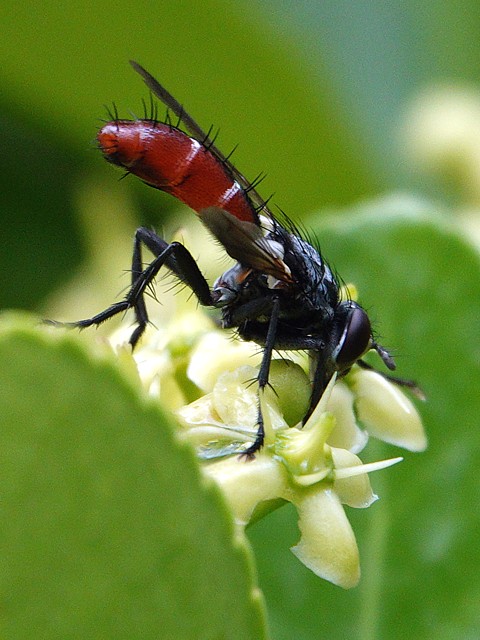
x=296, y=465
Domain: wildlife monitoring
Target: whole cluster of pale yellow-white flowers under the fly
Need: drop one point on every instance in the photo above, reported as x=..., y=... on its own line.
x=207, y=377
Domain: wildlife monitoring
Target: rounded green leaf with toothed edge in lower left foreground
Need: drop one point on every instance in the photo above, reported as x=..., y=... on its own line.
x=108, y=530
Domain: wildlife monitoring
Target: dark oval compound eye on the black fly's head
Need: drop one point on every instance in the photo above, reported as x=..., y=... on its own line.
x=356, y=338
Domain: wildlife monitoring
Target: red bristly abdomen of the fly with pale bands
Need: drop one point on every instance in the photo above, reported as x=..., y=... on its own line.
x=168, y=159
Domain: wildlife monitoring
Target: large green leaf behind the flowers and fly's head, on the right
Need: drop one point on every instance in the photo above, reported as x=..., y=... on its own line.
x=419, y=278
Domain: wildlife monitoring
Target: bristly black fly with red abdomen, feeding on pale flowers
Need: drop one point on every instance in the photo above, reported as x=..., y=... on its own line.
x=280, y=293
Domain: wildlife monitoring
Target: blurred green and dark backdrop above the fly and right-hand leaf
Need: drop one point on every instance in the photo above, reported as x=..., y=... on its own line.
x=313, y=94
